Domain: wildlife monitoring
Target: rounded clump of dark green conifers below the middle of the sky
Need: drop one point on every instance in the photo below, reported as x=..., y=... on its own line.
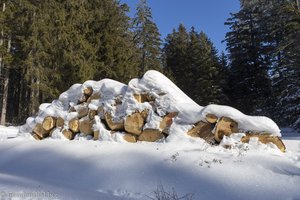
x=194, y=63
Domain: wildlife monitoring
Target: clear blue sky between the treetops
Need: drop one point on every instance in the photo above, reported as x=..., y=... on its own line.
x=206, y=15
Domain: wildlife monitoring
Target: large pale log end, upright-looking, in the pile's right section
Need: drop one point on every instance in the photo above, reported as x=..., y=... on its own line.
x=225, y=126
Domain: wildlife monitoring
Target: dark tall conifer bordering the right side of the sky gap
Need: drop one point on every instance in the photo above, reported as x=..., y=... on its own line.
x=249, y=81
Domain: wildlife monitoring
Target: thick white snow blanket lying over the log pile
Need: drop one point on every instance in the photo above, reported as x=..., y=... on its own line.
x=168, y=98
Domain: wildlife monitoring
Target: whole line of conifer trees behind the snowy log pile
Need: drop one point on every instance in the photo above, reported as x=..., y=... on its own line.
x=46, y=46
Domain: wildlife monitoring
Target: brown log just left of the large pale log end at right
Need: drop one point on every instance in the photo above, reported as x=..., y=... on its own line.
x=202, y=130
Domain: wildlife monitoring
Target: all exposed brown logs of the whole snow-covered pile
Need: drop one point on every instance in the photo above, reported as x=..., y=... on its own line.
x=212, y=129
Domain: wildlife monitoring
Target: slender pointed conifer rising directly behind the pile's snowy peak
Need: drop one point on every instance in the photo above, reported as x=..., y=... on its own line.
x=147, y=39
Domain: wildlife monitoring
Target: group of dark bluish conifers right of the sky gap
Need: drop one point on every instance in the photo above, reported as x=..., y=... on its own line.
x=264, y=47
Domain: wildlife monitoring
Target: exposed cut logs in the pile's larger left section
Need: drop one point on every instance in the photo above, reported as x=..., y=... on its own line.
x=132, y=126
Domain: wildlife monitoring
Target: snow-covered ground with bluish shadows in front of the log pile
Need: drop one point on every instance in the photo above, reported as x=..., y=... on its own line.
x=87, y=169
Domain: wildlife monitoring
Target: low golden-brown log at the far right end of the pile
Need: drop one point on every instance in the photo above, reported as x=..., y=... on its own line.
x=265, y=138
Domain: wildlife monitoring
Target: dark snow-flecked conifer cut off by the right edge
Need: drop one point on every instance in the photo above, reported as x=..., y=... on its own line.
x=286, y=68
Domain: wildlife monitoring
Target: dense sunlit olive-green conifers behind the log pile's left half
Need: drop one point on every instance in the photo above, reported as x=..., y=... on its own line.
x=58, y=43
